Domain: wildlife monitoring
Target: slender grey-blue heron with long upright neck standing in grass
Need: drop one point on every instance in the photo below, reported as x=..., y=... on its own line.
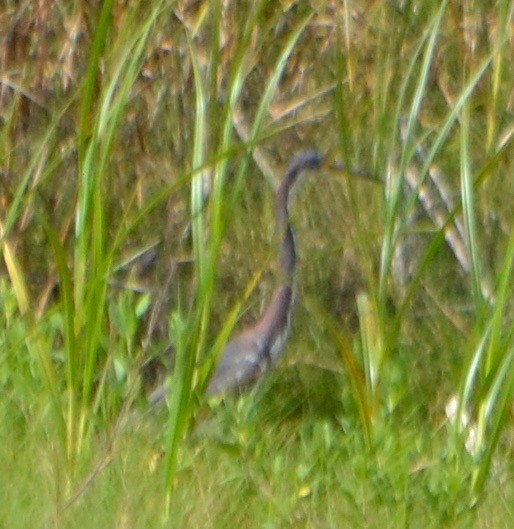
x=257, y=348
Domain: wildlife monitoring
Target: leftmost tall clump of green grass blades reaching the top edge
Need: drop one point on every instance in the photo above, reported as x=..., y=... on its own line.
x=92, y=260
